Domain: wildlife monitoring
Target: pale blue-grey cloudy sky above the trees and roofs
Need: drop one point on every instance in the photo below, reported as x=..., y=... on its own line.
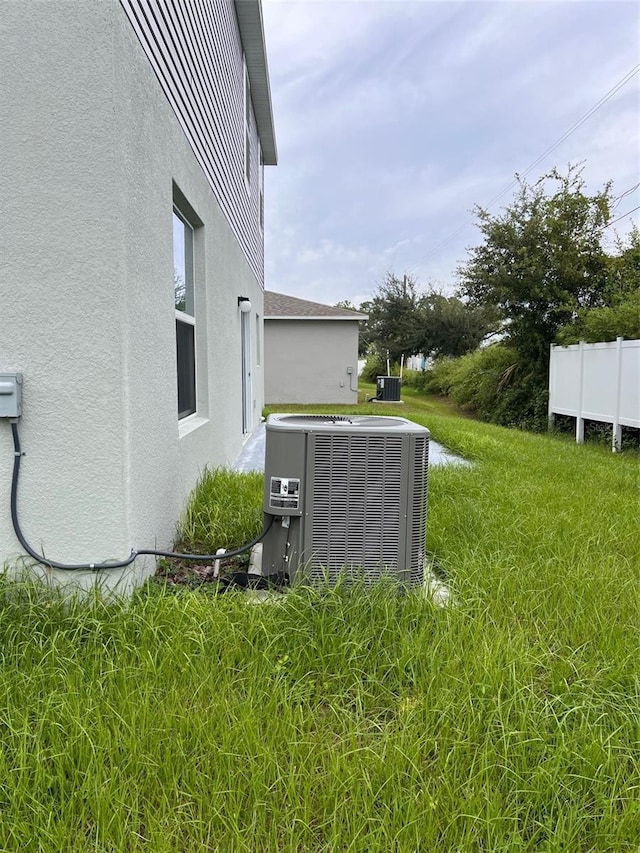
x=395, y=117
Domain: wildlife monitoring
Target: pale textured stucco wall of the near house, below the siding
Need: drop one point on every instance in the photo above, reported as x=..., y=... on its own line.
x=92, y=154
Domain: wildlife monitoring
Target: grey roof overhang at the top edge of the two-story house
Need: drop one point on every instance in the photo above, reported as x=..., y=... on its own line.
x=251, y=25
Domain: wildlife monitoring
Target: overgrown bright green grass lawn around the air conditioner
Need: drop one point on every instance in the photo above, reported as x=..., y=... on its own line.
x=353, y=721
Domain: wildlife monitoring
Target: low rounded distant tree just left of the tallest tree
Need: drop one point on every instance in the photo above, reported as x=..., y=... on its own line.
x=449, y=326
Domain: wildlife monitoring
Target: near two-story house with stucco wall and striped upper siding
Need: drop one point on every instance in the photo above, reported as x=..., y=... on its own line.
x=134, y=135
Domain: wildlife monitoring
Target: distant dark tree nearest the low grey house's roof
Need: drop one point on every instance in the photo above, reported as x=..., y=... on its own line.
x=394, y=320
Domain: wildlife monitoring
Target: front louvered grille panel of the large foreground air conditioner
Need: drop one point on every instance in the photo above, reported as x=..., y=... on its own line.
x=356, y=505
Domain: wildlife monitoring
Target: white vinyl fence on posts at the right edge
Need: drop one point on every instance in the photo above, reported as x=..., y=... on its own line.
x=597, y=382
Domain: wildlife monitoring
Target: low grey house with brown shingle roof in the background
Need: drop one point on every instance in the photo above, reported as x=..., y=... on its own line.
x=310, y=351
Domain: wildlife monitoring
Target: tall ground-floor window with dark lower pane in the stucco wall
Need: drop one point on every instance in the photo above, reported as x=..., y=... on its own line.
x=185, y=314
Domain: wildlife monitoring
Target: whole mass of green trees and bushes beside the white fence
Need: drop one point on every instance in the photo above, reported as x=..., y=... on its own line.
x=540, y=275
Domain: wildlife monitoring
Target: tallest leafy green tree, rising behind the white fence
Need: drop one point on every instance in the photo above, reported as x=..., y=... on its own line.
x=541, y=261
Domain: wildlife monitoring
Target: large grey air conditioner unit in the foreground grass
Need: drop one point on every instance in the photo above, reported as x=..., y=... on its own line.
x=349, y=496
